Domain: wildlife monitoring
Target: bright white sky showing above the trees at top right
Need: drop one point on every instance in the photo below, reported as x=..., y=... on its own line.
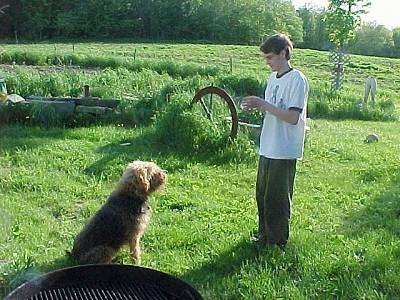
x=383, y=12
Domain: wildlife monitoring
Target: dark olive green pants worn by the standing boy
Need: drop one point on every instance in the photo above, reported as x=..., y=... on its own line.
x=274, y=191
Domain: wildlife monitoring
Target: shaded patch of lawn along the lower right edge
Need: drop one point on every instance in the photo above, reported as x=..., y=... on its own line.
x=376, y=257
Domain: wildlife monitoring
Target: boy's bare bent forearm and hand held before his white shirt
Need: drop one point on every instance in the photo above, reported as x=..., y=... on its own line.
x=290, y=115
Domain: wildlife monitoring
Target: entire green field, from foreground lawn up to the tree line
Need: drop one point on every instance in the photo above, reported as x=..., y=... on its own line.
x=345, y=226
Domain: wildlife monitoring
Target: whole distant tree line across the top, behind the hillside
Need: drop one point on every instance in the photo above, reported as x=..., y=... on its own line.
x=215, y=21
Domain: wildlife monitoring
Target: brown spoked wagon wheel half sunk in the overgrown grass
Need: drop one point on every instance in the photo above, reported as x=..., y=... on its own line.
x=217, y=105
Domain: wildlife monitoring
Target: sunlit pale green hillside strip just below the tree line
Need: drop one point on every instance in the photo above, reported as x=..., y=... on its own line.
x=246, y=59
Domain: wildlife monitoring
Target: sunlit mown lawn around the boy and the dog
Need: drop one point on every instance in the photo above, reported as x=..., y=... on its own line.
x=345, y=225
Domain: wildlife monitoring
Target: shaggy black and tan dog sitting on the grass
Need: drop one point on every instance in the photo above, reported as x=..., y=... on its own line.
x=123, y=219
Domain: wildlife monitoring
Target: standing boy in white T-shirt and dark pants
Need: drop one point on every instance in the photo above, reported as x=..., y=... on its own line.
x=281, y=140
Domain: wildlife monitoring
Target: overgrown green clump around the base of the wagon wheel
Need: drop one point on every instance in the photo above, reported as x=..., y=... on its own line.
x=181, y=130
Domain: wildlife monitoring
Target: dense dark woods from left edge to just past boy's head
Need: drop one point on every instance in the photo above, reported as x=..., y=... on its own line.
x=229, y=21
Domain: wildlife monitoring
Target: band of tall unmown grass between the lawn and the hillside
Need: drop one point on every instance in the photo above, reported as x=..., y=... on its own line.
x=145, y=93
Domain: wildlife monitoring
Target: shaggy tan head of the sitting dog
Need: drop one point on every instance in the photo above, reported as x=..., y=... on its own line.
x=142, y=178
